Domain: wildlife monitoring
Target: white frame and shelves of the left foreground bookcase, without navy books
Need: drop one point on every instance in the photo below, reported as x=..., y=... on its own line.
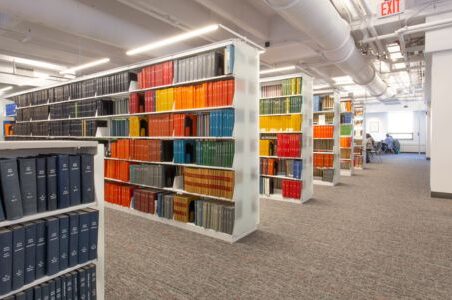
x=15, y=149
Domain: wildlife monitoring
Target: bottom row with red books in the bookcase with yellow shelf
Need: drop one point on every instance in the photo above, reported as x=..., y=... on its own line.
x=287, y=188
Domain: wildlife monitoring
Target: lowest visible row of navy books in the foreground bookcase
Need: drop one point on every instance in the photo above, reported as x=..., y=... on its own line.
x=79, y=284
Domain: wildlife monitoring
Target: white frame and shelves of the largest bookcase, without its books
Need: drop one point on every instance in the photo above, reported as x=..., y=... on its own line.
x=245, y=134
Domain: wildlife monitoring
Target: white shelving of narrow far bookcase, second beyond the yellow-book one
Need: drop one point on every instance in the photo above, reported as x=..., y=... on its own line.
x=346, y=155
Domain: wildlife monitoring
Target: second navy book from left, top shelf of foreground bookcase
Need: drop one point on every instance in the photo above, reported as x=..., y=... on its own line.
x=27, y=179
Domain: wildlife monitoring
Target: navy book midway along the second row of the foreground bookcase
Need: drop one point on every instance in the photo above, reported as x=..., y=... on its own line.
x=53, y=246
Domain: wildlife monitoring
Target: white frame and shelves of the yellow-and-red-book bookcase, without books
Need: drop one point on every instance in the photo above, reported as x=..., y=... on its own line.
x=305, y=132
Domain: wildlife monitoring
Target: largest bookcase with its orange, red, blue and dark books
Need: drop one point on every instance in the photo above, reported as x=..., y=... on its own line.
x=195, y=106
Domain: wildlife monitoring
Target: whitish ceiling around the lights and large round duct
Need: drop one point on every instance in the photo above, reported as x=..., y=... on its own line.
x=73, y=32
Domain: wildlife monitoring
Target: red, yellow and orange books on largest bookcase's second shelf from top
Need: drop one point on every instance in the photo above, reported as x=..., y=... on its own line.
x=209, y=94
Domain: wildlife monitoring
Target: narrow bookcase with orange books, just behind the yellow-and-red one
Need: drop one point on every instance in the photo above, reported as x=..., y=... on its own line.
x=326, y=153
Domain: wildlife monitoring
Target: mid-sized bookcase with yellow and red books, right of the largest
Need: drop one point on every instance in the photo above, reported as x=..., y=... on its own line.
x=285, y=146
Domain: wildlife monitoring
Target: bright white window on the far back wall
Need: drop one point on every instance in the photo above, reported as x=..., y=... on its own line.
x=400, y=124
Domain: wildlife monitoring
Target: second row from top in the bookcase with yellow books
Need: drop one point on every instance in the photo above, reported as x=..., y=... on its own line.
x=282, y=105
